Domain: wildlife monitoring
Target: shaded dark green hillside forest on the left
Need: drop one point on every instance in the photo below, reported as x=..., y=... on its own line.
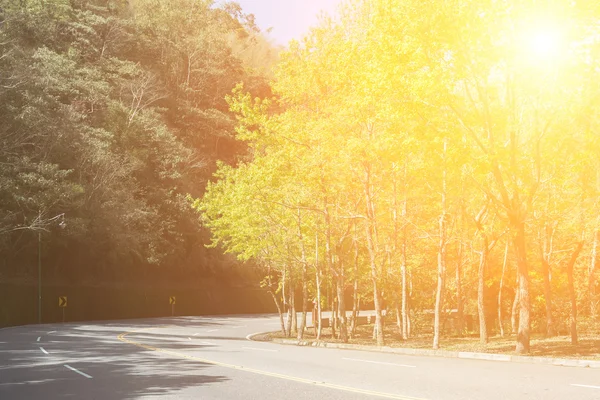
x=112, y=112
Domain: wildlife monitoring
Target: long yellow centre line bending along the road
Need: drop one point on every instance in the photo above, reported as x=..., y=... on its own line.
x=123, y=338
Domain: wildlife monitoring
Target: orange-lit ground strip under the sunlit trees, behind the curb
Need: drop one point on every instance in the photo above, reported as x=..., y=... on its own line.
x=558, y=346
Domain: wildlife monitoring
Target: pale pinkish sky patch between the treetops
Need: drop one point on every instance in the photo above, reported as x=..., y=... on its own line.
x=290, y=19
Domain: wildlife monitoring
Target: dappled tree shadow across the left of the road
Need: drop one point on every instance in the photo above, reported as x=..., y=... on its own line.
x=119, y=370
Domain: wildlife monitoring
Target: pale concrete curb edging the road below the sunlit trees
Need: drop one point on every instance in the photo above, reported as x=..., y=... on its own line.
x=564, y=362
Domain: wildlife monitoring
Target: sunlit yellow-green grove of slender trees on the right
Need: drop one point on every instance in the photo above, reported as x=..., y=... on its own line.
x=434, y=159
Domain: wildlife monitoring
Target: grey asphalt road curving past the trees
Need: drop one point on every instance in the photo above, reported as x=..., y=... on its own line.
x=210, y=358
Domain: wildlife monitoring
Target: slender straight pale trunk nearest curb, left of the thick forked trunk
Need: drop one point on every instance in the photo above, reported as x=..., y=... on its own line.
x=441, y=258
